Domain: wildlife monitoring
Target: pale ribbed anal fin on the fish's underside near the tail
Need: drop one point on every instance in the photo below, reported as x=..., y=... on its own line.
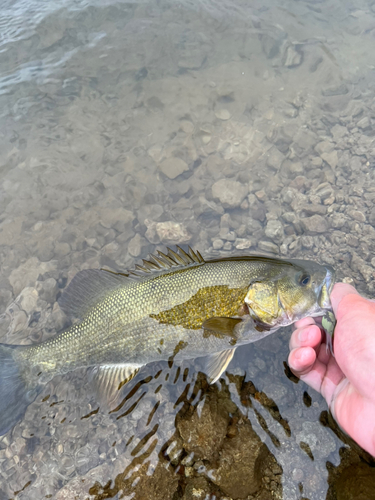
x=109, y=379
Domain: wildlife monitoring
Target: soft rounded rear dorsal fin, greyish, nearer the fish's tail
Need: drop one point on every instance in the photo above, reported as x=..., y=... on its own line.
x=87, y=288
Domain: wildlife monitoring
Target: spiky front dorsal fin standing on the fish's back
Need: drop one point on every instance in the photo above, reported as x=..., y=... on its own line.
x=165, y=261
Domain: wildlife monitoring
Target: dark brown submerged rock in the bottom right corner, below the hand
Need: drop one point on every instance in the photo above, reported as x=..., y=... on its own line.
x=356, y=482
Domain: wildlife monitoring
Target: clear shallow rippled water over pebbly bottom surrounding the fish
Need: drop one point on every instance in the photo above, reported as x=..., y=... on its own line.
x=118, y=120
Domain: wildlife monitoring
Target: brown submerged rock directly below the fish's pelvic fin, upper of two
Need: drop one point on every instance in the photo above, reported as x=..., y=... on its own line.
x=204, y=431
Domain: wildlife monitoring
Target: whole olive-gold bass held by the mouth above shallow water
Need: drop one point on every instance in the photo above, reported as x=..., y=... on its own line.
x=175, y=306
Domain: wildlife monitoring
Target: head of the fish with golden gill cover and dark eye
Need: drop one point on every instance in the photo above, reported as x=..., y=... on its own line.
x=292, y=292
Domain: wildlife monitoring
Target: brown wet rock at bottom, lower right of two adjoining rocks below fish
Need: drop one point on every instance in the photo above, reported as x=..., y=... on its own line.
x=241, y=463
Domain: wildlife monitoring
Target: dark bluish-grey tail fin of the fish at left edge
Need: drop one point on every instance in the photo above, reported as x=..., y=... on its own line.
x=15, y=393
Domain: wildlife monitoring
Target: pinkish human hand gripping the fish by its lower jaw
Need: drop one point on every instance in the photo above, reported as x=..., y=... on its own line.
x=346, y=381
